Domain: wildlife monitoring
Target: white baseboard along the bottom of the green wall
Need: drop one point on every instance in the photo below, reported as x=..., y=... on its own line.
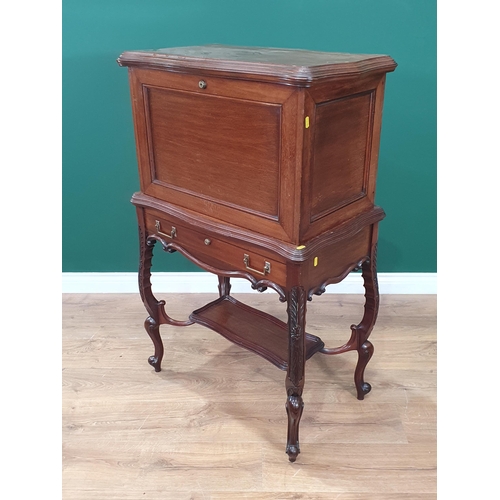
x=203, y=282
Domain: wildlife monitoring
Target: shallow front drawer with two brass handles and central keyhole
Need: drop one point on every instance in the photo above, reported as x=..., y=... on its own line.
x=213, y=251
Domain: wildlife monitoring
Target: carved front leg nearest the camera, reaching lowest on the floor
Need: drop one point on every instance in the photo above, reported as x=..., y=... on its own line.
x=295, y=371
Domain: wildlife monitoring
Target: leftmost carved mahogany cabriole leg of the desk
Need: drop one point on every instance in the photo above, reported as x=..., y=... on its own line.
x=152, y=323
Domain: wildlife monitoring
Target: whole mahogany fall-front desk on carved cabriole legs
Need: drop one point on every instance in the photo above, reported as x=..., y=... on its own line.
x=261, y=164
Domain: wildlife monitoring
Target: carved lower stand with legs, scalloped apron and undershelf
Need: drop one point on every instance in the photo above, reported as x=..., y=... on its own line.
x=286, y=345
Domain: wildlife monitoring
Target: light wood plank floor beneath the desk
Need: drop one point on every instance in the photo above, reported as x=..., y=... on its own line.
x=212, y=424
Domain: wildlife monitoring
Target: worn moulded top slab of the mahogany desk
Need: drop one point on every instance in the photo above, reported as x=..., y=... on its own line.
x=281, y=64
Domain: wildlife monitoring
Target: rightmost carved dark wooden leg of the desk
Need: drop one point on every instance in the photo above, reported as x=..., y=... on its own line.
x=363, y=330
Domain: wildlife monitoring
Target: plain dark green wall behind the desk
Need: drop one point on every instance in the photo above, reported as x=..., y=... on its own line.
x=99, y=162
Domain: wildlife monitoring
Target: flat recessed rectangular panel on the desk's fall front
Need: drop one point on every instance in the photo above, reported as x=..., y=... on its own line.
x=220, y=149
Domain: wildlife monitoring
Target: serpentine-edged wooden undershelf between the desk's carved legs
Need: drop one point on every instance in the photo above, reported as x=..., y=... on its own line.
x=252, y=329
